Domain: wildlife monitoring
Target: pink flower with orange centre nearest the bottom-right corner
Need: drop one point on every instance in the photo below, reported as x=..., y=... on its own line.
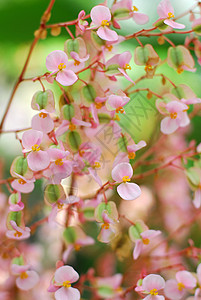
x=175, y=289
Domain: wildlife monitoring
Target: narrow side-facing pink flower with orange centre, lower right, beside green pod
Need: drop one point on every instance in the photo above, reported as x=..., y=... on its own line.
x=146, y=237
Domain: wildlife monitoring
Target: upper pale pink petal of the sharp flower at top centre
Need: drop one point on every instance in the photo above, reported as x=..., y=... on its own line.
x=100, y=13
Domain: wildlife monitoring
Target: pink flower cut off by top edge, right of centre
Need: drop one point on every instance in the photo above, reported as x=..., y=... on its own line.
x=139, y=18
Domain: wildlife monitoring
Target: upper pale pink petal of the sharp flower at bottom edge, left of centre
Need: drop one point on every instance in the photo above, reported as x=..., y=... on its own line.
x=65, y=273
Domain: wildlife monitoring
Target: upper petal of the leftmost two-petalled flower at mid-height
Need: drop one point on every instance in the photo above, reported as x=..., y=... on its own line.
x=31, y=137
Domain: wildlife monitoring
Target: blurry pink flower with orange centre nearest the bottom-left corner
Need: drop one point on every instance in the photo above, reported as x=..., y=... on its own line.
x=27, y=278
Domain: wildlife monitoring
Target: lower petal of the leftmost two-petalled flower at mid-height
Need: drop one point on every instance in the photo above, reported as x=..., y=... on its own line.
x=38, y=160
